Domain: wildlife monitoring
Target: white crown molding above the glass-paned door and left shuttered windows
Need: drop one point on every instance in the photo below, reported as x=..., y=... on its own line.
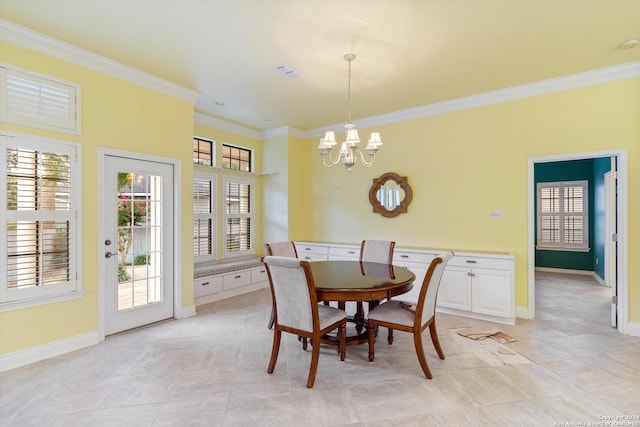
x=27, y=38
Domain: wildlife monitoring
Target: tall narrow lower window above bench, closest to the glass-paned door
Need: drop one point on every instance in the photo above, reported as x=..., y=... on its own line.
x=204, y=217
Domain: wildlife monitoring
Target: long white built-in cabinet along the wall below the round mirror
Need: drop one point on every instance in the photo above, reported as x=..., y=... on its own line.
x=474, y=284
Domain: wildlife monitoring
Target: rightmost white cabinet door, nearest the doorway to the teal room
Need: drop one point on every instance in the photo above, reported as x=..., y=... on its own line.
x=491, y=292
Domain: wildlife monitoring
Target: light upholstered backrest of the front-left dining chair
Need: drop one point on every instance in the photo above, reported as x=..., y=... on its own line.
x=293, y=291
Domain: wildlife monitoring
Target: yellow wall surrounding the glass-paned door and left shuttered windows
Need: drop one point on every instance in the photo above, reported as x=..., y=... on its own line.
x=117, y=115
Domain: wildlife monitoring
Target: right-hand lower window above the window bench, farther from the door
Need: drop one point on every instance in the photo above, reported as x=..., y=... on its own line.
x=238, y=216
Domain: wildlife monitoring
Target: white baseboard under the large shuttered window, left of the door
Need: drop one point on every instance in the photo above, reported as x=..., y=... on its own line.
x=46, y=351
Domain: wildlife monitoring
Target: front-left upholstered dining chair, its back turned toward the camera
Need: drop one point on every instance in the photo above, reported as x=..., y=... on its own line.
x=297, y=310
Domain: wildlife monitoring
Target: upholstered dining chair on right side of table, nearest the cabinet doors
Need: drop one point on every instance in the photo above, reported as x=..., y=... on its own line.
x=413, y=318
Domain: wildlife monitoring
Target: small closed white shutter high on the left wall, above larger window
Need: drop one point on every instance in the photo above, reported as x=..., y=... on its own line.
x=38, y=101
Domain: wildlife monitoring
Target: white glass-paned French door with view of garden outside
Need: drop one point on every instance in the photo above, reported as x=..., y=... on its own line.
x=137, y=222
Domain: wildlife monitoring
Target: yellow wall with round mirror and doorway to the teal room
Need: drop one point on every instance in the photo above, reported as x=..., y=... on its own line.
x=463, y=165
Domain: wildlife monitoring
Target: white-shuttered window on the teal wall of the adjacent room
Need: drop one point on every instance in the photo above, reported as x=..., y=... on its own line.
x=562, y=215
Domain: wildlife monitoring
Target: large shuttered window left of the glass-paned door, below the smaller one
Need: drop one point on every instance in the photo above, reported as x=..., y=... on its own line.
x=40, y=203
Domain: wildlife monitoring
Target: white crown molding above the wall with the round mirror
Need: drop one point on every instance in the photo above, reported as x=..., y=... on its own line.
x=558, y=84
